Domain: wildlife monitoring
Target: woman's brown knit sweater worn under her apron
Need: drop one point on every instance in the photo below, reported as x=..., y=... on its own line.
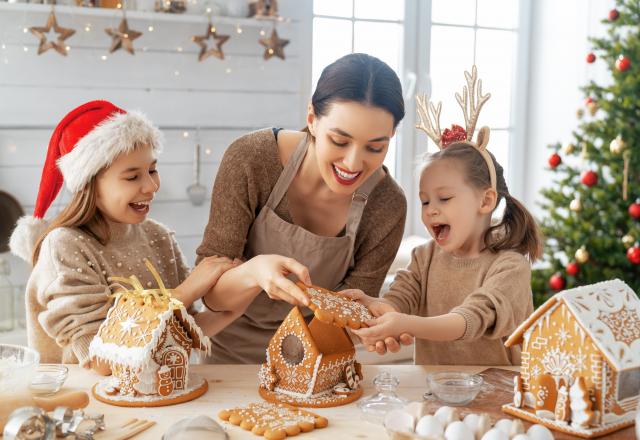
x=247, y=174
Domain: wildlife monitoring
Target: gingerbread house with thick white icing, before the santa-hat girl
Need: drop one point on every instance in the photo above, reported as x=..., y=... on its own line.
x=147, y=339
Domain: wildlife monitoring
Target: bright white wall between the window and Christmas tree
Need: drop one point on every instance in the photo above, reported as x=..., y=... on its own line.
x=558, y=48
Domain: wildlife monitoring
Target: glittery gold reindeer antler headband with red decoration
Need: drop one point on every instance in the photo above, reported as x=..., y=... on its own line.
x=471, y=102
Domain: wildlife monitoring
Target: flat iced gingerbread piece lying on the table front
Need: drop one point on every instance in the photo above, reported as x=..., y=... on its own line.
x=274, y=421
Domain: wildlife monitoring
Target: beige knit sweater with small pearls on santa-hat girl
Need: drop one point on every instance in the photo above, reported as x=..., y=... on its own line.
x=67, y=295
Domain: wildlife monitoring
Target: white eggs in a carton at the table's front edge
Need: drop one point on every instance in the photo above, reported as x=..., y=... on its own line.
x=413, y=423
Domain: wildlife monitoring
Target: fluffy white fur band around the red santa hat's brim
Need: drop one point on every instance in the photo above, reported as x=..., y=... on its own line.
x=101, y=146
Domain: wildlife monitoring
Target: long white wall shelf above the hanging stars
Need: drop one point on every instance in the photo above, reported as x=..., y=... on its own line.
x=143, y=15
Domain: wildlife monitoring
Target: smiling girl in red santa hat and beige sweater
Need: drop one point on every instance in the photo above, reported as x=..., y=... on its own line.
x=106, y=157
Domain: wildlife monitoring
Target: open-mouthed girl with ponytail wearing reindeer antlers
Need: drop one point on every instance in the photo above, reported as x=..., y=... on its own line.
x=467, y=289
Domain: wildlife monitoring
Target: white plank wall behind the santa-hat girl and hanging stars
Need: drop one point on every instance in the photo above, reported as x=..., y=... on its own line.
x=37, y=91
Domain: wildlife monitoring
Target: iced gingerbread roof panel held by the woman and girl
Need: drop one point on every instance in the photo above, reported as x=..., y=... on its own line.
x=333, y=308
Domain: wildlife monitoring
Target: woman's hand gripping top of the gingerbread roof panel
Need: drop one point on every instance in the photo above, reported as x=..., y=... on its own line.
x=270, y=273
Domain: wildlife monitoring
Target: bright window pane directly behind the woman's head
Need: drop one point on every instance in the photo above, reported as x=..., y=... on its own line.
x=375, y=27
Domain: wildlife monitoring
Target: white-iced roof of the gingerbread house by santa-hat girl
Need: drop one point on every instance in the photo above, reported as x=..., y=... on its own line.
x=133, y=329
